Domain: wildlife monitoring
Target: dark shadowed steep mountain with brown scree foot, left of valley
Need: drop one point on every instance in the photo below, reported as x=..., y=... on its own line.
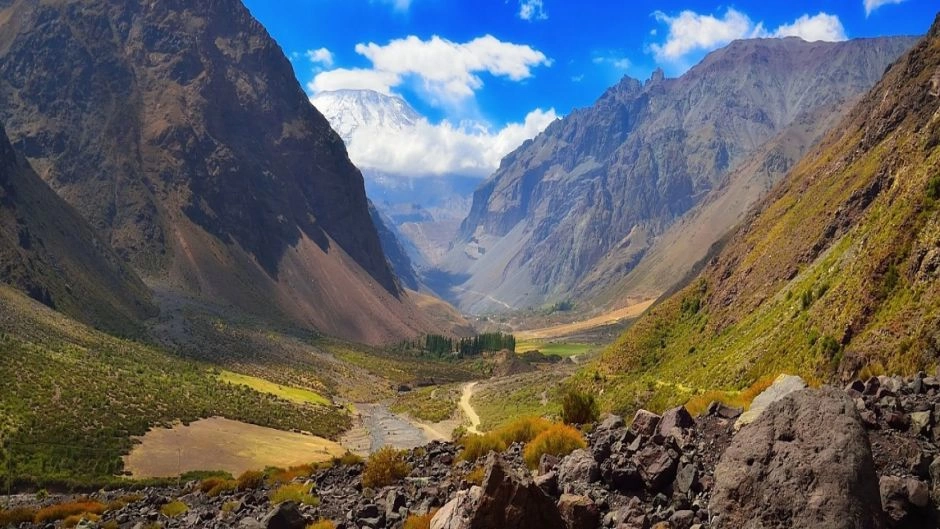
x=179, y=131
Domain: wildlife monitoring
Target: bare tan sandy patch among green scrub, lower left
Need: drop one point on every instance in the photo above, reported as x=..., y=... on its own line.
x=221, y=444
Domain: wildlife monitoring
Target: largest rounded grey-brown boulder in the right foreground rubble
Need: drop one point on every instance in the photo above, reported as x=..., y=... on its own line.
x=805, y=462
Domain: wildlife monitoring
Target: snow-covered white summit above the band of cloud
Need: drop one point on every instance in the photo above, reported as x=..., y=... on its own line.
x=348, y=110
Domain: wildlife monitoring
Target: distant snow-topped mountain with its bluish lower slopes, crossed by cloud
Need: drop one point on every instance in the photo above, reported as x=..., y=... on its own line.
x=426, y=210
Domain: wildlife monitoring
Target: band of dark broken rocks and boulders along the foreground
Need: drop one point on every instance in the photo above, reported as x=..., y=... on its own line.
x=876, y=464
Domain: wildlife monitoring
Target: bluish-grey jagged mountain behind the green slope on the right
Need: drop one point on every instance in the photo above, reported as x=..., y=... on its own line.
x=580, y=205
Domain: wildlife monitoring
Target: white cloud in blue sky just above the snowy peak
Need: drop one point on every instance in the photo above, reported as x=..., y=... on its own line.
x=449, y=71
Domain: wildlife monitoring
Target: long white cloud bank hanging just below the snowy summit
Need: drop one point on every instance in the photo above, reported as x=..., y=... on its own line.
x=468, y=148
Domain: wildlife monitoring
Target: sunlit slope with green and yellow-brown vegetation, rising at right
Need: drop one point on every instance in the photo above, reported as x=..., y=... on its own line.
x=833, y=275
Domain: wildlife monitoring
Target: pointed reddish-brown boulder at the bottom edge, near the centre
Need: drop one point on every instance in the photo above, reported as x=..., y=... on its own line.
x=507, y=499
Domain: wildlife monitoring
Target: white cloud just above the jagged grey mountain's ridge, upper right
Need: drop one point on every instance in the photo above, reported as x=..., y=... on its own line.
x=690, y=32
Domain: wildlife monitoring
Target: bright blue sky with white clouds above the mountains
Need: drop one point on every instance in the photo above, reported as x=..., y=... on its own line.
x=496, y=61
